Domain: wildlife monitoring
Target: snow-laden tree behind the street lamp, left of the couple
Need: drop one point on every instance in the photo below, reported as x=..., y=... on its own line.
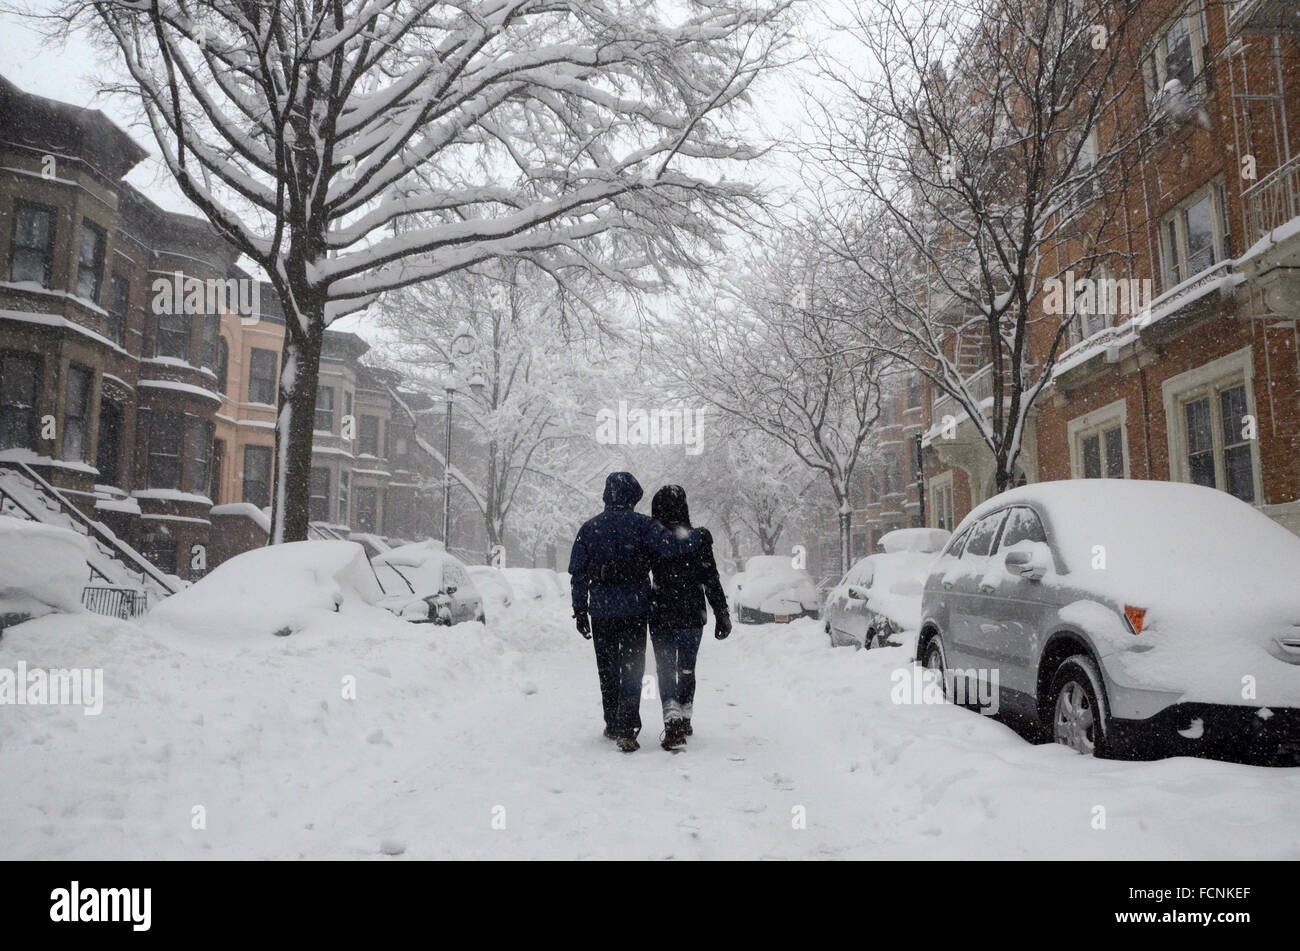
x=530, y=418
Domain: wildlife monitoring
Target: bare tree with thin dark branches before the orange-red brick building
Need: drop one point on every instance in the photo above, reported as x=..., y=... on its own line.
x=963, y=173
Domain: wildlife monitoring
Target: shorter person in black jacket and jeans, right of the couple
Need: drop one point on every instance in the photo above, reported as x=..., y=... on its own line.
x=678, y=614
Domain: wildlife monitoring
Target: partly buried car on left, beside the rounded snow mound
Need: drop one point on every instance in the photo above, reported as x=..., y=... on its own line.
x=427, y=585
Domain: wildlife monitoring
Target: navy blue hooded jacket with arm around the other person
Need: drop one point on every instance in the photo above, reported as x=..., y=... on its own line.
x=610, y=564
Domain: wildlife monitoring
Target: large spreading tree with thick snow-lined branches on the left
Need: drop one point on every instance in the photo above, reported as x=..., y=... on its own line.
x=356, y=147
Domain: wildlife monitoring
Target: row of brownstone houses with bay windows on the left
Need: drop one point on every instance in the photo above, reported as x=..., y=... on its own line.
x=140, y=367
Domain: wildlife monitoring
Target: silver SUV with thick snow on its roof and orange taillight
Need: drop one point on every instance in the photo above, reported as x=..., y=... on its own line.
x=1125, y=619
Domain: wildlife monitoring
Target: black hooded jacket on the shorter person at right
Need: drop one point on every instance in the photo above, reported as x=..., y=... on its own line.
x=683, y=583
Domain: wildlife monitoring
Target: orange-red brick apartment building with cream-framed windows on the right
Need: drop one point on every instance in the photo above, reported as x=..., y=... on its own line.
x=1204, y=384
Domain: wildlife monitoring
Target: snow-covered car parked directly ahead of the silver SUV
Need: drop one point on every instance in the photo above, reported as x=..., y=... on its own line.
x=879, y=598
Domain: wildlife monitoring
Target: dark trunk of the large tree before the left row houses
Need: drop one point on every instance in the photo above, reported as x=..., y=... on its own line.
x=294, y=427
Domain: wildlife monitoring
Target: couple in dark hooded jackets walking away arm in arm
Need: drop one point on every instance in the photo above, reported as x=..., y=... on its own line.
x=616, y=601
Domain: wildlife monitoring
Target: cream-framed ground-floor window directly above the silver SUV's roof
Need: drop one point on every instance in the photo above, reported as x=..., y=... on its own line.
x=1212, y=427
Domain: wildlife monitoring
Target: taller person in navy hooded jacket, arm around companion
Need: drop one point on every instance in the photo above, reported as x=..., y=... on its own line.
x=610, y=571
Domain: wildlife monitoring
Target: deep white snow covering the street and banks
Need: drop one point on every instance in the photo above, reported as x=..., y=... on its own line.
x=454, y=732
